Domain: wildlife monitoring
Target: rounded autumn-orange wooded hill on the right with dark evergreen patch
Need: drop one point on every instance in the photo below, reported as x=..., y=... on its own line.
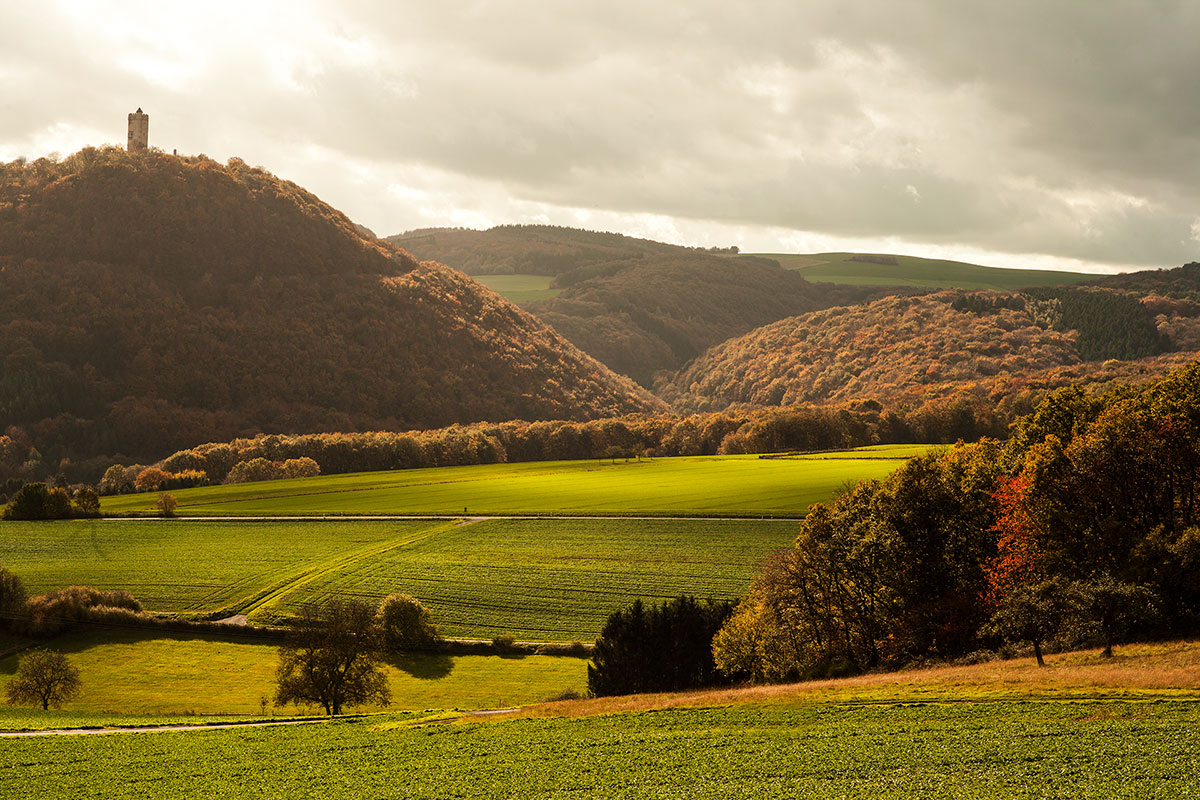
x=932, y=346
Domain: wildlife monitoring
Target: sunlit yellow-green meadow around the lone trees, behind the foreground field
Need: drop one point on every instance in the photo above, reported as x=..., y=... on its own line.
x=166, y=677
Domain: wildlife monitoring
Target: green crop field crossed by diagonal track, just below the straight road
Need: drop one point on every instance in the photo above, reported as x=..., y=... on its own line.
x=538, y=580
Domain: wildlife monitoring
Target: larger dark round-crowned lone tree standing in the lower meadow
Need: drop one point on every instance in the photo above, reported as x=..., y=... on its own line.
x=333, y=659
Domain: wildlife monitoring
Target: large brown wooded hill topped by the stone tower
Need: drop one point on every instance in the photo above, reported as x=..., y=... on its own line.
x=149, y=303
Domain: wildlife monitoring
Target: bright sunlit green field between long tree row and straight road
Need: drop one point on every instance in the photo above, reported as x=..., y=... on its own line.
x=687, y=486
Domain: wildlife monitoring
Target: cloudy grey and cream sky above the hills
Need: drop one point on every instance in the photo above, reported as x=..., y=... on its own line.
x=1022, y=134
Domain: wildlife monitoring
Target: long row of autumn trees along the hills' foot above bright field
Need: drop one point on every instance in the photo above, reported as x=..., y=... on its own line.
x=749, y=431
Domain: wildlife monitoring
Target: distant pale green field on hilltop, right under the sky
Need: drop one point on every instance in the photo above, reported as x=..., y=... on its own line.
x=916, y=272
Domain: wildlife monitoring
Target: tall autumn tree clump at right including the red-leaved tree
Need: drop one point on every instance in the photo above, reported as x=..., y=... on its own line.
x=1083, y=527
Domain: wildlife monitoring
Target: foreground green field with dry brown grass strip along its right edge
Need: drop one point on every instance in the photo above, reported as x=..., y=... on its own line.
x=1120, y=742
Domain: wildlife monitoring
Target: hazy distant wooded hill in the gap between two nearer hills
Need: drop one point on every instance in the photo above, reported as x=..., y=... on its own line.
x=639, y=306
